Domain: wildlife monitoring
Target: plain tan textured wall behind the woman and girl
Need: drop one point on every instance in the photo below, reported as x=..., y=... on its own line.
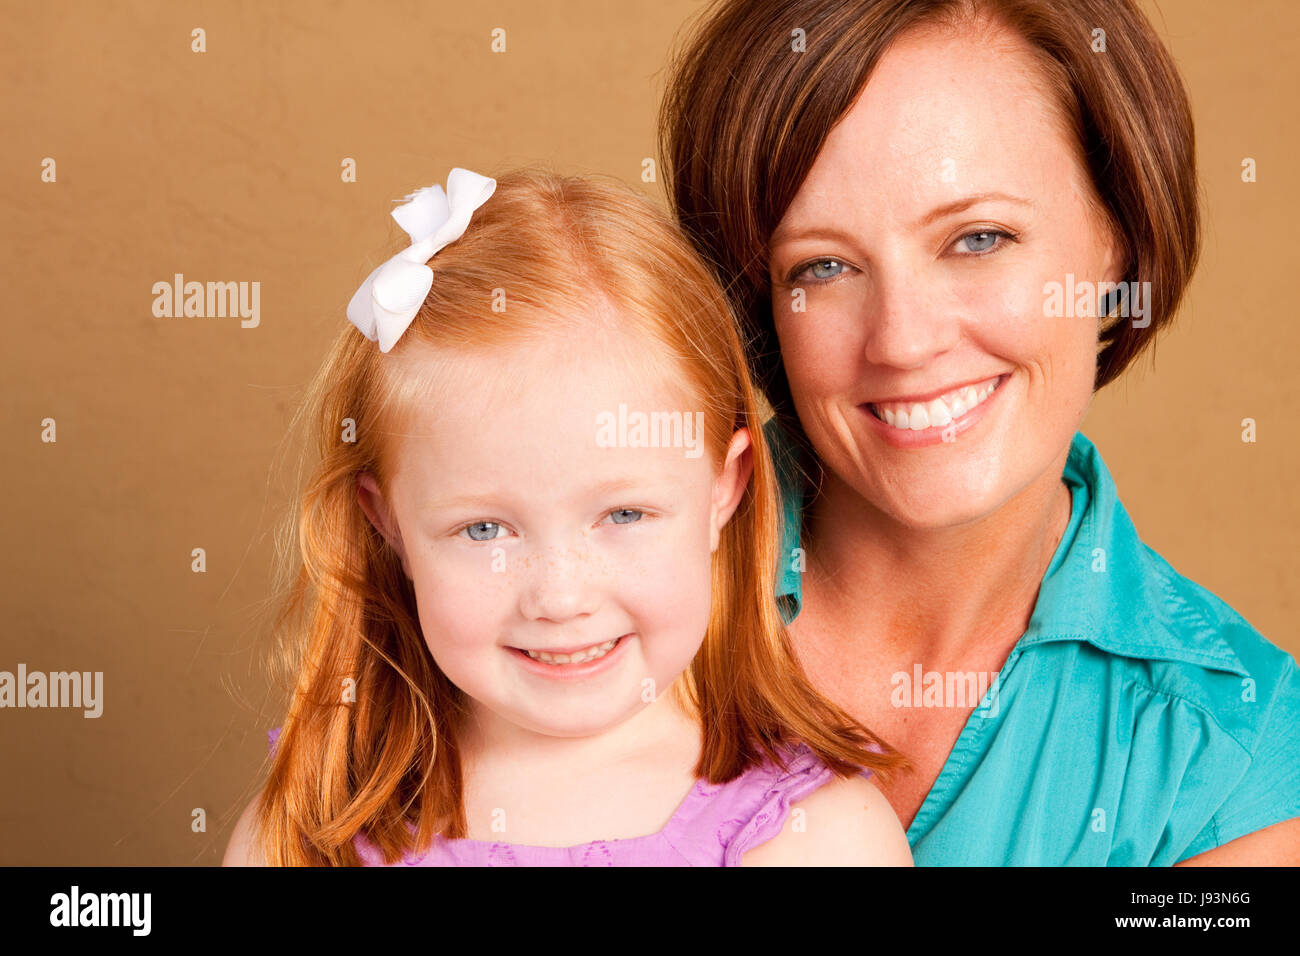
x=227, y=166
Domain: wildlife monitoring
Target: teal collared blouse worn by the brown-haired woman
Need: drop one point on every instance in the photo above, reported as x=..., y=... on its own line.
x=1139, y=721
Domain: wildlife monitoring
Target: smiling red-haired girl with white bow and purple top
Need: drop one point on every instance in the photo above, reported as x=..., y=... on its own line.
x=535, y=622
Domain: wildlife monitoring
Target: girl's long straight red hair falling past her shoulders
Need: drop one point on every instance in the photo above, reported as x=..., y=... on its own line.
x=370, y=742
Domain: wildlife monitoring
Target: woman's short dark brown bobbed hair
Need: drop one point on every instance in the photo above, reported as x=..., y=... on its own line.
x=746, y=116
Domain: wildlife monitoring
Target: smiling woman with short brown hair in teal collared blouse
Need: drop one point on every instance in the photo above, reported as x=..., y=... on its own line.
x=918, y=206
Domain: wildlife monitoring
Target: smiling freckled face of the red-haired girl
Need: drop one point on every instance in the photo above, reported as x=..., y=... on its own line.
x=532, y=527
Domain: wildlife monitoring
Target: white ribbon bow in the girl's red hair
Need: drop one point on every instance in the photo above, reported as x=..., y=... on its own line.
x=391, y=297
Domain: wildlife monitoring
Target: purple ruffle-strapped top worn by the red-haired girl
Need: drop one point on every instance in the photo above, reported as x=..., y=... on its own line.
x=714, y=827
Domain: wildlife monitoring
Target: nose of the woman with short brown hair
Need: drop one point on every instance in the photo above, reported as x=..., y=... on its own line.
x=909, y=322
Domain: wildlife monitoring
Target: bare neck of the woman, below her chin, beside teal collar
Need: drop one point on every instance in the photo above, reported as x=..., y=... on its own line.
x=934, y=595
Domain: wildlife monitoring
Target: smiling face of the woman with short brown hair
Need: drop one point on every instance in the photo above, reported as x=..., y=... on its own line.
x=912, y=267
